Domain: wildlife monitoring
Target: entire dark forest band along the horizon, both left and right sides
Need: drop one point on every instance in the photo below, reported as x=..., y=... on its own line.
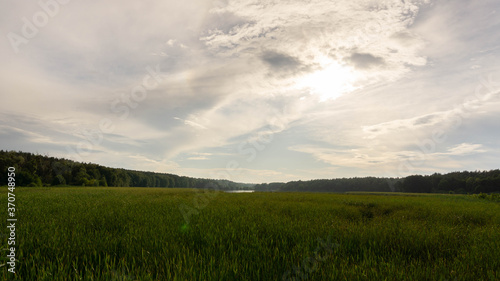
x=39, y=170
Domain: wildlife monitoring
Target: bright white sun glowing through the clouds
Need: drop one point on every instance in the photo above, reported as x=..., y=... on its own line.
x=330, y=81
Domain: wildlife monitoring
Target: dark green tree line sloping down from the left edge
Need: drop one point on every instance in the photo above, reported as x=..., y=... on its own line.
x=34, y=170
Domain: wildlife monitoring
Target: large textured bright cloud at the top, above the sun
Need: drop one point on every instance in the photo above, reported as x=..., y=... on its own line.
x=317, y=34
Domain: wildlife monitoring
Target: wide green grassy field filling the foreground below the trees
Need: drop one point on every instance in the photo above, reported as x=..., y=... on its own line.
x=183, y=234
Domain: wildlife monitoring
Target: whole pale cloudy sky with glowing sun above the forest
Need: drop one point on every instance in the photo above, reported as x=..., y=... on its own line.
x=254, y=90
